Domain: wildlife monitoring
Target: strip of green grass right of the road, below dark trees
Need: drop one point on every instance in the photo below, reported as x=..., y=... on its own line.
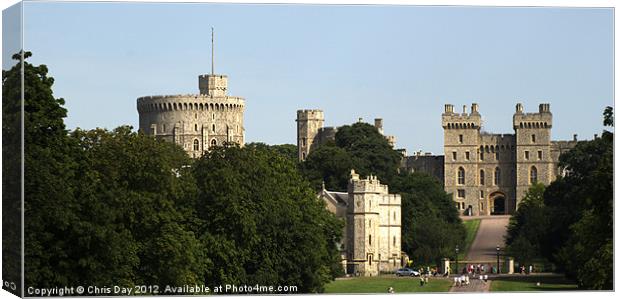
x=528, y=283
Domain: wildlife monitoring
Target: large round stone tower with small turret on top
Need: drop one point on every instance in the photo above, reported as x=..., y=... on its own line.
x=195, y=122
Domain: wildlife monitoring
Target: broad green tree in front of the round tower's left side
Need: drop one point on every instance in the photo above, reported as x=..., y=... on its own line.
x=137, y=211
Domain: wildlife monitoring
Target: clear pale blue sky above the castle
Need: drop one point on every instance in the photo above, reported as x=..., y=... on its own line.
x=401, y=63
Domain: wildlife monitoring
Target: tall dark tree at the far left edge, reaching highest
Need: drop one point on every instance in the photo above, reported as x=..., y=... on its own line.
x=49, y=173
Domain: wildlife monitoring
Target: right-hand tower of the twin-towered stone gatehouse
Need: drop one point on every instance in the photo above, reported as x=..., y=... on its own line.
x=534, y=161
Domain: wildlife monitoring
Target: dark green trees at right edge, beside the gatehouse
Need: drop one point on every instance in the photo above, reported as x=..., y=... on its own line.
x=573, y=224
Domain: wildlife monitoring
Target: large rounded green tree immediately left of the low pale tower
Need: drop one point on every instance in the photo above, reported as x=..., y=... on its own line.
x=269, y=225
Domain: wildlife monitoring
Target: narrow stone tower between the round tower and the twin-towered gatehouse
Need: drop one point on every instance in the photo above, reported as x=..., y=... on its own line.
x=309, y=122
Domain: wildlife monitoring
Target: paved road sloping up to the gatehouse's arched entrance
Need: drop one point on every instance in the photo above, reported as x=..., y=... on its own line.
x=490, y=234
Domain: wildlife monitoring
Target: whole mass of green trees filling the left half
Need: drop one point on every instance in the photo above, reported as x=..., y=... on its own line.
x=121, y=208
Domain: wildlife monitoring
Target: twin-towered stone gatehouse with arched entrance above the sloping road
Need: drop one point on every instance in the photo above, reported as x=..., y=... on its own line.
x=490, y=173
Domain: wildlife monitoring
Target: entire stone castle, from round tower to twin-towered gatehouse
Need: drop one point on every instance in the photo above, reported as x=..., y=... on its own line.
x=487, y=174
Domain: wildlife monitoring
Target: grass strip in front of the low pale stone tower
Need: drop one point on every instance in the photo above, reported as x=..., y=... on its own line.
x=382, y=283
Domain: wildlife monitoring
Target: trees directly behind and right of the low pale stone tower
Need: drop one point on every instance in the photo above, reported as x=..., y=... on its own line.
x=431, y=227
